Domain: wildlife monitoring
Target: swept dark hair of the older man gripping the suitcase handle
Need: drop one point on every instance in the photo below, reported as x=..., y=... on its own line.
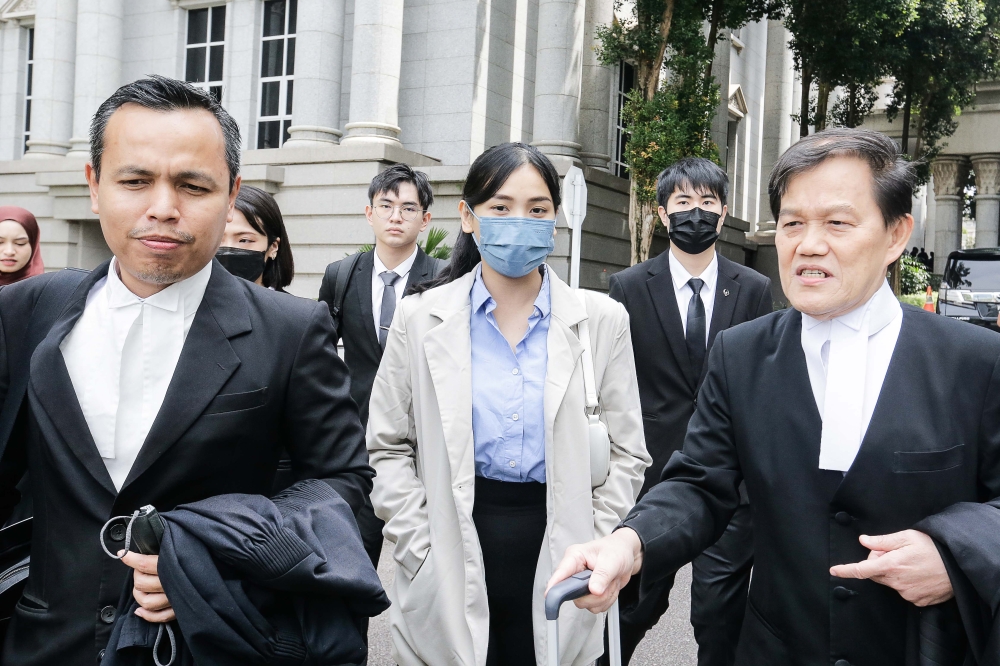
x=893, y=177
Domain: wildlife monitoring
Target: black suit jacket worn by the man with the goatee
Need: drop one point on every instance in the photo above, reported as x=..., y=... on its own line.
x=258, y=373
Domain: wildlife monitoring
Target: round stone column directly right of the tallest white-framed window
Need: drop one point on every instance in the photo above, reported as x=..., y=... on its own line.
x=316, y=108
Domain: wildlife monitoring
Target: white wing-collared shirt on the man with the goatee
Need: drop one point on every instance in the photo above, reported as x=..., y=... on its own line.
x=121, y=356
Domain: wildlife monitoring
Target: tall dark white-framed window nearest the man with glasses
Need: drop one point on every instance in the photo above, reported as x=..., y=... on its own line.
x=277, y=69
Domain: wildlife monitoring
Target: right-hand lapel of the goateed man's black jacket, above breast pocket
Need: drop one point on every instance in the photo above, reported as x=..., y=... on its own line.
x=206, y=362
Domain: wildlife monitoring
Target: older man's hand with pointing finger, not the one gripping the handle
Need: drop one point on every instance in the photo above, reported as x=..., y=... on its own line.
x=906, y=561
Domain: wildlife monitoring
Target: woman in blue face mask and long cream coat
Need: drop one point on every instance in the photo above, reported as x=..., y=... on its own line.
x=480, y=433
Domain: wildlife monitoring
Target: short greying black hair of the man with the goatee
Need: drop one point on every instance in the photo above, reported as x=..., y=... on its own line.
x=164, y=94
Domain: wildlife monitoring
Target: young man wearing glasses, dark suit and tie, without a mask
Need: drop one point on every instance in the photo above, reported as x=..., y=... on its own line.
x=363, y=290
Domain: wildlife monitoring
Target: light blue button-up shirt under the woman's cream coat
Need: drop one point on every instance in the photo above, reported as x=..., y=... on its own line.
x=508, y=388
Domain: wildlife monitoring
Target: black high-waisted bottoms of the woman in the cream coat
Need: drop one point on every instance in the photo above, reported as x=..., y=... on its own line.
x=510, y=519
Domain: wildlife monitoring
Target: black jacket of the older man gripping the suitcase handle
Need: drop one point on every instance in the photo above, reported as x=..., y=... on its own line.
x=933, y=441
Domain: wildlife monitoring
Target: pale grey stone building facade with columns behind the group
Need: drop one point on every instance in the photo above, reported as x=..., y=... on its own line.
x=327, y=92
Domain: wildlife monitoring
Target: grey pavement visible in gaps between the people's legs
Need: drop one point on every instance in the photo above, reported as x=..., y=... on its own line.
x=669, y=643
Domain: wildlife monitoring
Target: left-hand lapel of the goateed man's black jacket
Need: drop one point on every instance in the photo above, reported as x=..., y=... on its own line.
x=53, y=388
